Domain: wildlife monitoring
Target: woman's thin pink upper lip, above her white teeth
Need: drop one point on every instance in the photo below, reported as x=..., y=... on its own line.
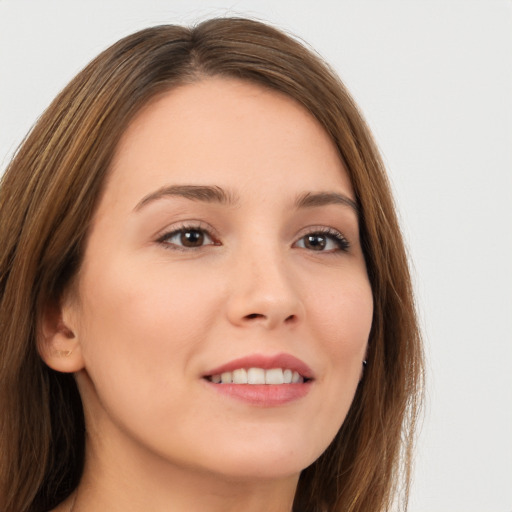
x=266, y=362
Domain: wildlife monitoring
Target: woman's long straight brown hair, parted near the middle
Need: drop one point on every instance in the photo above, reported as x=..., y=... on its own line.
x=48, y=195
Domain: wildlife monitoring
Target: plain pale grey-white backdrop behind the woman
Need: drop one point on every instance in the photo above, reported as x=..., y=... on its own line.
x=434, y=80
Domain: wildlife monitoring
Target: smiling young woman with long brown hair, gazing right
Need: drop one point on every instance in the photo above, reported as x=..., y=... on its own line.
x=205, y=300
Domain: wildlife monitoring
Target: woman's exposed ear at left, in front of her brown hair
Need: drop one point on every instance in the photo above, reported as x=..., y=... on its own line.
x=57, y=341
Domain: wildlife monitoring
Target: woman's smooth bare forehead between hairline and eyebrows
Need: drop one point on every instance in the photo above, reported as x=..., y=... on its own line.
x=230, y=133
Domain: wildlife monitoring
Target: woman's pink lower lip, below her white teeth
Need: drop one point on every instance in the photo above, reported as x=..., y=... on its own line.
x=264, y=395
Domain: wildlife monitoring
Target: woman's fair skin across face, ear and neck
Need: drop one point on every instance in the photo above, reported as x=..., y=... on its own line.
x=178, y=282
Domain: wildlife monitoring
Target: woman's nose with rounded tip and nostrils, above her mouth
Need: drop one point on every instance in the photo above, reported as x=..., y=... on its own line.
x=263, y=292
